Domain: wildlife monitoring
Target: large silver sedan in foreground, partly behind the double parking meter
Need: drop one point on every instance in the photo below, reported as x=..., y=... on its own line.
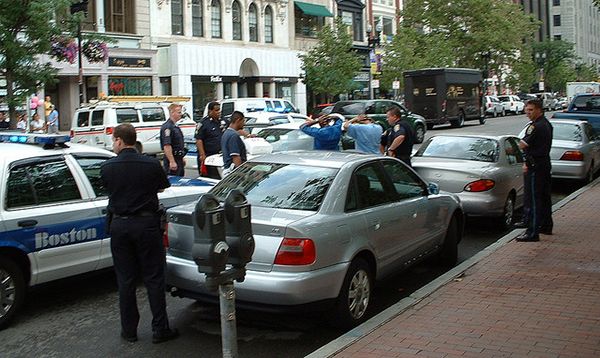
x=326, y=226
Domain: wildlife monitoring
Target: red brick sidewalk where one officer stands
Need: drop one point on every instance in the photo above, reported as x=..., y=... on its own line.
x=538, y=299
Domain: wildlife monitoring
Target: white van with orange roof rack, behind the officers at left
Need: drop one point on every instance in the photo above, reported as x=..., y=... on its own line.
x=94, y=124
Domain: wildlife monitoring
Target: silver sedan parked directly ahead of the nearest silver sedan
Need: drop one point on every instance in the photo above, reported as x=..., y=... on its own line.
x=485, y=172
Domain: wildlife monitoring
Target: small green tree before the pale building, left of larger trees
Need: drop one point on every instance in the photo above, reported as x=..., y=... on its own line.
x=330, y=66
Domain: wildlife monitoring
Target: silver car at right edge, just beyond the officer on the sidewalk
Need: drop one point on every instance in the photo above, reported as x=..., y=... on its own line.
x=575, y=151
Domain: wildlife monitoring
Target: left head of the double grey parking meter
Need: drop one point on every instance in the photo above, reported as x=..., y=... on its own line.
x=210, y=249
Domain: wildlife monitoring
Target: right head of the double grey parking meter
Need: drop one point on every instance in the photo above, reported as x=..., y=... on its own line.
x=238, y=229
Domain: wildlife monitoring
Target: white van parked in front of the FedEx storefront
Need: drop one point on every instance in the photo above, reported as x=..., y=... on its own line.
x=253, y=104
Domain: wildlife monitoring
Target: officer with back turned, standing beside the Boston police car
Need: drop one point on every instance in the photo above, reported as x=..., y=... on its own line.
x=133, y=181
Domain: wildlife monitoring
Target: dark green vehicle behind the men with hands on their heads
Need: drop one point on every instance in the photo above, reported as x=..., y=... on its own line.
x=376, y=109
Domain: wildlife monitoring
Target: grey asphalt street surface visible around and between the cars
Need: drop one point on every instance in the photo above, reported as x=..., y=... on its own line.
x=78, y=316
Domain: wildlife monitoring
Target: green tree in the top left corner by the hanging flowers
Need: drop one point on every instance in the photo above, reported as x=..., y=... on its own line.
x=26, y=30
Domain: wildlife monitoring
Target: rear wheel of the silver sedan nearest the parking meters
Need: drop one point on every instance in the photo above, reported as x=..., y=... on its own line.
x=355, y=295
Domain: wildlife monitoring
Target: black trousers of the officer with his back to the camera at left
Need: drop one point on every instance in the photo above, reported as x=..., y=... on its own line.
x=137, y=250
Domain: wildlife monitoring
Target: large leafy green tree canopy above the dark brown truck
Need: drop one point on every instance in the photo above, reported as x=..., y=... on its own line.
x=456, y=33
